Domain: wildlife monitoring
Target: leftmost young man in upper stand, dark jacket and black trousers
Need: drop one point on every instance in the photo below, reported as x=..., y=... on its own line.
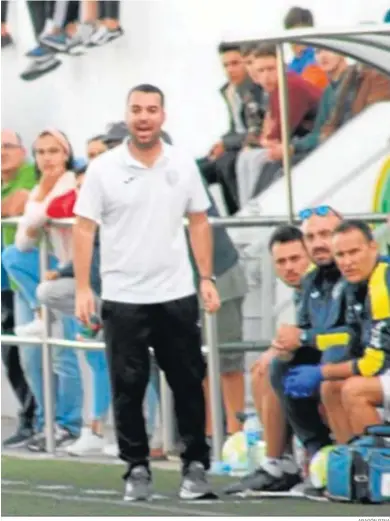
x=219, y=165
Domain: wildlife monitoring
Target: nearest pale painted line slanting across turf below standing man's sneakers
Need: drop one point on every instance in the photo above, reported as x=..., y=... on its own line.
x=144, y=505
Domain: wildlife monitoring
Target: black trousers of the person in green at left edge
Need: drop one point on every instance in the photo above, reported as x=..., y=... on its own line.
x=14, y=371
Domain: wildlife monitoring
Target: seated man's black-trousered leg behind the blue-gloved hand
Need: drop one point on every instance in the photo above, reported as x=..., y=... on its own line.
x=302, y=414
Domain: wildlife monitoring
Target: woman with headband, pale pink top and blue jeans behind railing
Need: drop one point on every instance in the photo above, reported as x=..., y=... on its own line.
x=53, y=155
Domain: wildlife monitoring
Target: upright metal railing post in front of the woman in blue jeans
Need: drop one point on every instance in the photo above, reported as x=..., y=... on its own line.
x=47, y=364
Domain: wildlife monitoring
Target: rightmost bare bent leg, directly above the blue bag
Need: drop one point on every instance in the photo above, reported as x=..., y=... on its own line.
x=360, y=397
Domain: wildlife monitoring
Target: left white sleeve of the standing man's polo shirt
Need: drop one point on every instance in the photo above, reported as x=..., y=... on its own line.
x=89, y=202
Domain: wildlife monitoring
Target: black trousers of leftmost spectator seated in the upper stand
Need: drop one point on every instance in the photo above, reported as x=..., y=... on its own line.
x=223, y=171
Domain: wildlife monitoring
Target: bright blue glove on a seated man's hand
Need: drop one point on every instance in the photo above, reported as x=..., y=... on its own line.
x=303, y=381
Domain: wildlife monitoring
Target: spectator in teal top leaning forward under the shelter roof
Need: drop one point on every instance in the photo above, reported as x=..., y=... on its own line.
x=335, y=67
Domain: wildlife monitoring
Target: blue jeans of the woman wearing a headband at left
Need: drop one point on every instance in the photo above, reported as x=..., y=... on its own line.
x=23, y=268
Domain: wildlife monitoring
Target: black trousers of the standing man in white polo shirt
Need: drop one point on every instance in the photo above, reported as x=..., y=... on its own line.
x=172, y=329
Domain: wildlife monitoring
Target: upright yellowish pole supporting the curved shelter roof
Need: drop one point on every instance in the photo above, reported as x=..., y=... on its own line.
x=285, y=126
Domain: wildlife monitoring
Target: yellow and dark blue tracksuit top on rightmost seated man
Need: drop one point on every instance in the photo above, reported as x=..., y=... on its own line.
x=369, y=312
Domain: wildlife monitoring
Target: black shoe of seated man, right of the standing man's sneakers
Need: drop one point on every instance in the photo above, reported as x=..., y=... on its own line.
x=262, y=481
